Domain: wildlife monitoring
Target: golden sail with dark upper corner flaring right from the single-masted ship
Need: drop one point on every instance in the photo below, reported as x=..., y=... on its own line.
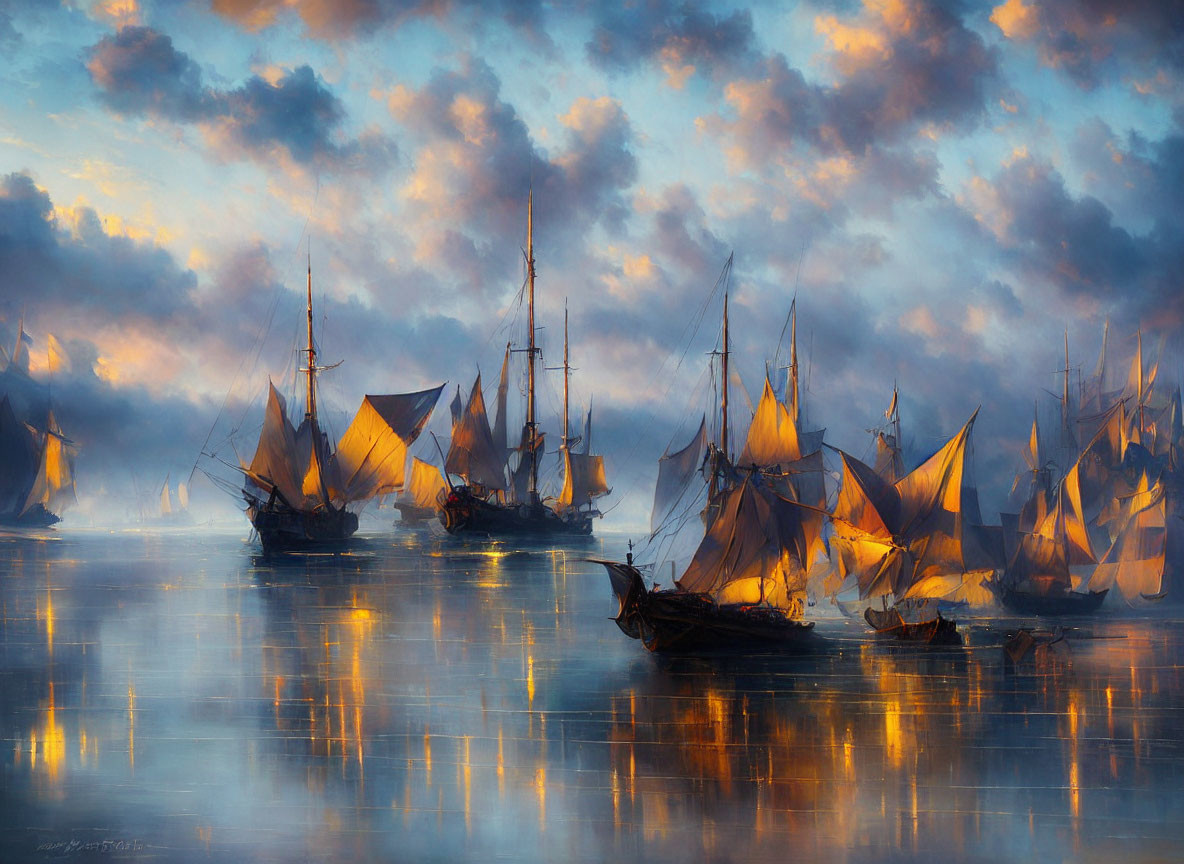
x=374, y=452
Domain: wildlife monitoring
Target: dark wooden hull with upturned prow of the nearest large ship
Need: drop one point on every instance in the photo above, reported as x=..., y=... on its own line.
x=678, y=621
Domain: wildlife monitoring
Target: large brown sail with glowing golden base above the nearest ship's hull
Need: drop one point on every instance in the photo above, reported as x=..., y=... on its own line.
x=754, y=552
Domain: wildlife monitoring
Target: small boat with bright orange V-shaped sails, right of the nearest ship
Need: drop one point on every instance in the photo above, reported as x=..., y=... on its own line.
x=913, y=541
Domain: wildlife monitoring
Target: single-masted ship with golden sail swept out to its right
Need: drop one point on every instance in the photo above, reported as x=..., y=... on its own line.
x=299, y=489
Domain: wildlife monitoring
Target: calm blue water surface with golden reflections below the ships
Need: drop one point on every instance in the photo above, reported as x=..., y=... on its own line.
x=177, y=698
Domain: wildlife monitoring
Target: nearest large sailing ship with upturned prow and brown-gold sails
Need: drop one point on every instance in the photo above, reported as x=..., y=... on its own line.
x=745, y=585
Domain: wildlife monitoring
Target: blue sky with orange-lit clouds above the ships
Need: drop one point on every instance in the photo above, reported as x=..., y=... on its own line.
x=945, y=188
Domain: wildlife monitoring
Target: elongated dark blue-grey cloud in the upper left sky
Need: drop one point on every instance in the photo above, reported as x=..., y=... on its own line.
x=139, y=73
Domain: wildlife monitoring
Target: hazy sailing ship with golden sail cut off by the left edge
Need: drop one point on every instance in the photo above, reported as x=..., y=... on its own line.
x=36, y=470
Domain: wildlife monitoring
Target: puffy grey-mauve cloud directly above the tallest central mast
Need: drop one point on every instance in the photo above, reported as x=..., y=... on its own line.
x=475, y=159
